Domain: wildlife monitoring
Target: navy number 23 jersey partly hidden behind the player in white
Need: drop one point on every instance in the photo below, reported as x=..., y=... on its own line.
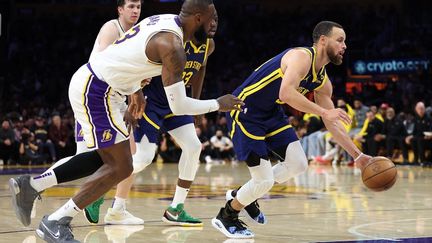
x=195, y=57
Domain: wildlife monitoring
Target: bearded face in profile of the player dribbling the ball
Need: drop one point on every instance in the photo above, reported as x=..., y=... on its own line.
x=336, y=46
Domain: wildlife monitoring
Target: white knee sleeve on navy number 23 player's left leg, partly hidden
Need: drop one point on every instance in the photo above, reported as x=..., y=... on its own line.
x=145, y=152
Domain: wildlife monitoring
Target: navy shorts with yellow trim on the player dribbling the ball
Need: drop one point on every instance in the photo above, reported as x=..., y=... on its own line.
x=260, y=136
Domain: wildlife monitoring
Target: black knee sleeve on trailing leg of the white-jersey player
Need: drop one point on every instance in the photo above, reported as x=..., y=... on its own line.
x=79, y=166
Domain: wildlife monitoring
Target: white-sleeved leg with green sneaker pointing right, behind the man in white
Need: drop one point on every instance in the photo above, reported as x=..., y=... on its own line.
x=186, y=137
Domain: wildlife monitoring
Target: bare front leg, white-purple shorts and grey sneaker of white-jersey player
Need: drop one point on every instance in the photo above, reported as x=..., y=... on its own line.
x=97, y=108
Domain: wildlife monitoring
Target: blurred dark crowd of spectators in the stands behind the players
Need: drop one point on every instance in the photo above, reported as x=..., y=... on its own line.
x=45, y=48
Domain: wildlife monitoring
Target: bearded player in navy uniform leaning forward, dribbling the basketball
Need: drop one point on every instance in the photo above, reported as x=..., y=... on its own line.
x=262, y=128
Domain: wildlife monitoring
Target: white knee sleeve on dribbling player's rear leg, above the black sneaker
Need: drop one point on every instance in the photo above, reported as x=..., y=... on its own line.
x=262, y=181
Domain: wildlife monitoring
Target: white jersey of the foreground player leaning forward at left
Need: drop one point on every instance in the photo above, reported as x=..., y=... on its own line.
x=124, y=64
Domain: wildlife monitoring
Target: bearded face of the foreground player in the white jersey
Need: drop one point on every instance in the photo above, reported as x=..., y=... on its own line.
x=207, y=24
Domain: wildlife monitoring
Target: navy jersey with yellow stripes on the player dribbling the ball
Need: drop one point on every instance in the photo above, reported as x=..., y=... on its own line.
x=260, y=91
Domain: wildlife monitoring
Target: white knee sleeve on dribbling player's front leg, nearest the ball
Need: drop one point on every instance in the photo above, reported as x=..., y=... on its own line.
x=295, y=163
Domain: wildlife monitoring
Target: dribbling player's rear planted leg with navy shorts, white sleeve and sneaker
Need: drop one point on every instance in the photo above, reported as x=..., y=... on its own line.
x=251, y=148
